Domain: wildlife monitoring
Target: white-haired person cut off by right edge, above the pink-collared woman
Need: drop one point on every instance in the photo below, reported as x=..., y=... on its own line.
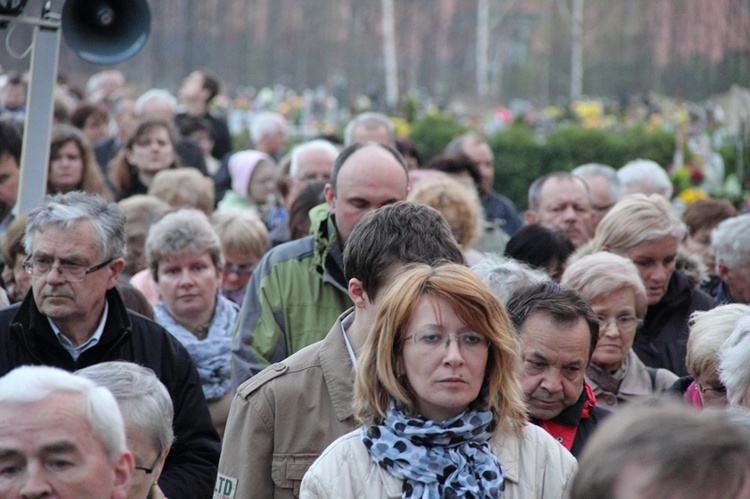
x=731, y=245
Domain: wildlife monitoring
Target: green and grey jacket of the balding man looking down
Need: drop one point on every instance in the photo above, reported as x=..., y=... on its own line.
x=295, y=294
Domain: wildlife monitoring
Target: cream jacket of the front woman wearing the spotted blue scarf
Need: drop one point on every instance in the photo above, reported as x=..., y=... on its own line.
x=536, y=466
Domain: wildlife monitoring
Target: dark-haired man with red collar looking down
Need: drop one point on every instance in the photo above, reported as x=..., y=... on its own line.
x=558, y=333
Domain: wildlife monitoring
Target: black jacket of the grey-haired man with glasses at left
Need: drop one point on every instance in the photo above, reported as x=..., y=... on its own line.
x=26, y=338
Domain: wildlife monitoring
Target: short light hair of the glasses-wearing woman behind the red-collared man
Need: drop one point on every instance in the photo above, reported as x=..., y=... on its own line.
x=603, y=273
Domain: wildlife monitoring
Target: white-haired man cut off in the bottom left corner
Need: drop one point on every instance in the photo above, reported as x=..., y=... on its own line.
x=60, y=436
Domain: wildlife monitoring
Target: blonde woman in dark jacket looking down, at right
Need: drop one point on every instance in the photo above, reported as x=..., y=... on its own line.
x=646, y=230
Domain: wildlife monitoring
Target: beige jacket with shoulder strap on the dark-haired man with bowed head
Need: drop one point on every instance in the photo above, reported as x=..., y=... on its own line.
x=284, y=417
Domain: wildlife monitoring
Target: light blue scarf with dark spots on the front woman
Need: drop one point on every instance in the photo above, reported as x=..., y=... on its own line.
x=447, y=459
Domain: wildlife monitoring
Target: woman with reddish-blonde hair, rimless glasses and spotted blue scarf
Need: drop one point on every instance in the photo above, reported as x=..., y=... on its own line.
x=442, y=408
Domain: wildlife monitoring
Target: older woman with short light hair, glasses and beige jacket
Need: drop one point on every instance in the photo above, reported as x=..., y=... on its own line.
x=611, y=285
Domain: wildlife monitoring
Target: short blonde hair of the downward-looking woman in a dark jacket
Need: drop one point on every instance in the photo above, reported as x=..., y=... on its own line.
x=635, y=219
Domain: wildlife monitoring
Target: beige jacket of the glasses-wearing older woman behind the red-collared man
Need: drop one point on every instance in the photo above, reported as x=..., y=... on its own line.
x=636, y=385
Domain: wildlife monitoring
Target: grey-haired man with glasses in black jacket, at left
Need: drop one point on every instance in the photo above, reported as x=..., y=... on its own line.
x=73, y=317
